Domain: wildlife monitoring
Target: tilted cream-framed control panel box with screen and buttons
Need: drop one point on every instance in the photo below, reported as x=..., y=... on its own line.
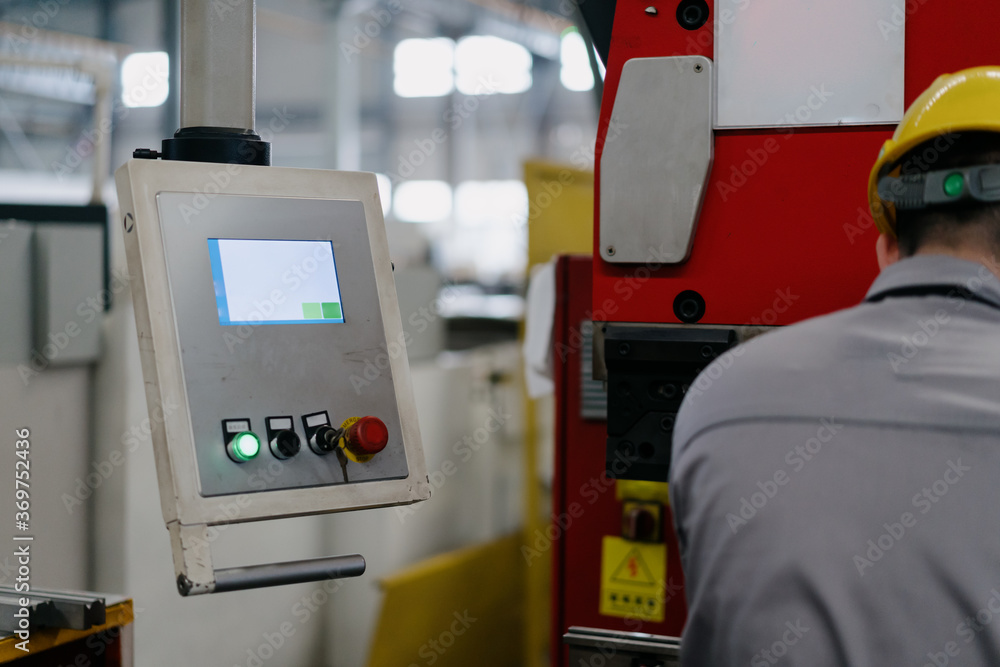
x=263, y=299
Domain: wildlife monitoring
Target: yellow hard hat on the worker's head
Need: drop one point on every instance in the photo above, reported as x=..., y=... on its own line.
x=967, y=101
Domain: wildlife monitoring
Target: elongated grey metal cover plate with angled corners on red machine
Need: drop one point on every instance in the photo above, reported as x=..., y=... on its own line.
x=656, y=160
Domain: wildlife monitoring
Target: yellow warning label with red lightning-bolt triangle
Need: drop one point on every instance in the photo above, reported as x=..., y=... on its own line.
x=632, y=579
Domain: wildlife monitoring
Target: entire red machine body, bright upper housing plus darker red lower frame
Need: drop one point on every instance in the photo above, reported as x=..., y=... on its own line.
x=784, y=234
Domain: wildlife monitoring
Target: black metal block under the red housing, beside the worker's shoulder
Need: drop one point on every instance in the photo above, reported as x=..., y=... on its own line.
x=649, y=370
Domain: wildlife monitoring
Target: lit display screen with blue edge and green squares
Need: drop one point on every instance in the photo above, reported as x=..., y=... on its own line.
x=275, y=282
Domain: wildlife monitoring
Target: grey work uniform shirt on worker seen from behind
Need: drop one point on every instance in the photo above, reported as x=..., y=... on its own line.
x=836, y=484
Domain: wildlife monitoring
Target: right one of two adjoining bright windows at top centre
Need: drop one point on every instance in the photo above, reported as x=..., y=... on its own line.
x=490, y=65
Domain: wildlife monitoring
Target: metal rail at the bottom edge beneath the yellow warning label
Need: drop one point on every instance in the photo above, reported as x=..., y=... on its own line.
x=620, y=649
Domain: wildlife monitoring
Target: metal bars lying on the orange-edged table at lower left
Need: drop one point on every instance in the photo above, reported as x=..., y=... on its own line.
x=75, y=611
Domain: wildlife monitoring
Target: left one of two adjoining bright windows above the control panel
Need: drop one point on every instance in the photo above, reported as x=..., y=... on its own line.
x=424, y=67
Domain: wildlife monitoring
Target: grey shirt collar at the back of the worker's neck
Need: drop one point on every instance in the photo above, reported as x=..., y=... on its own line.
x=935, y=270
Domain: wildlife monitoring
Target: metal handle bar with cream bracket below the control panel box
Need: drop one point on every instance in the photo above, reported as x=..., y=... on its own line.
x=196, y=575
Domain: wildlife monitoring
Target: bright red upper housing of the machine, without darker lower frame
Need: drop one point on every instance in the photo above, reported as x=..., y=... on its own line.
x=794, y=219
